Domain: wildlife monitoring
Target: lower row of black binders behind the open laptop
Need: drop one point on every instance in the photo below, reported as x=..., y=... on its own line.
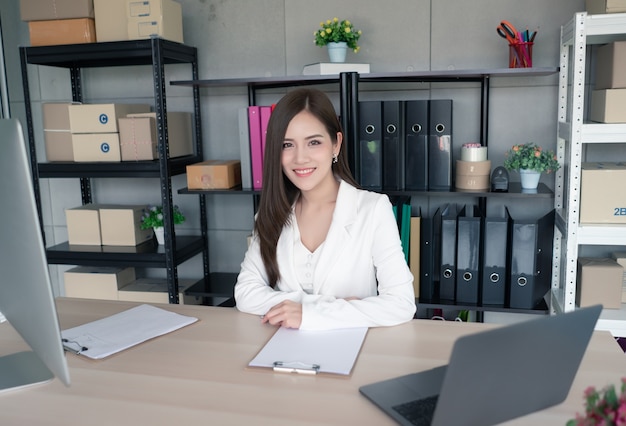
x=467, y=258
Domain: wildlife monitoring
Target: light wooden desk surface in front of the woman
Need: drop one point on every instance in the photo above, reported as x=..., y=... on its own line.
x=199, y=375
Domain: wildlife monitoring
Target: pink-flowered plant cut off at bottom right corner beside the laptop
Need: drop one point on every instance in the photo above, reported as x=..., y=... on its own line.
x=603, y=408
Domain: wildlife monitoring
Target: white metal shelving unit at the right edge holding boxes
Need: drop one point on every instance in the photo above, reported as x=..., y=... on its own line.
x=573, y=134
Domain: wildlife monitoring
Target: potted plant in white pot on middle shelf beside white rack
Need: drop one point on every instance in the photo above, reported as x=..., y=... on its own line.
x=530, y=161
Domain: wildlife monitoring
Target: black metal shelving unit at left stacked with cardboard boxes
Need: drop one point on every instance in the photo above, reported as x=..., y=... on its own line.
x=156, y=53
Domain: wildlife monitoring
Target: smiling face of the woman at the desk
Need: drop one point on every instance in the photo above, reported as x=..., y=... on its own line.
x=308, y=151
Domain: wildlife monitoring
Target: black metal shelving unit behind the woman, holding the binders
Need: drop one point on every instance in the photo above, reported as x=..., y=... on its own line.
x=348, y=98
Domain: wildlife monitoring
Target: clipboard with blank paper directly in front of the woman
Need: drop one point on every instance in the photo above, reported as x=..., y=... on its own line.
x=311, y=351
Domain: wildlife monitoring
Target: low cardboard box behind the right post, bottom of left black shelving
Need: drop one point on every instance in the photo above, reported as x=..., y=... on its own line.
x=154, y=290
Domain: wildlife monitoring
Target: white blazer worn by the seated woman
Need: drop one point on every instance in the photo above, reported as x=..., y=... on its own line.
x=362, y=257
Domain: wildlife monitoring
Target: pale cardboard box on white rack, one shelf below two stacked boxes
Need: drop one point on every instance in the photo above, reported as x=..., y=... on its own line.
x=602, y=195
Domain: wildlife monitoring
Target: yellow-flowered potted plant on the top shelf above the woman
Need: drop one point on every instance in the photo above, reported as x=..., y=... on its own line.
x=337, y=36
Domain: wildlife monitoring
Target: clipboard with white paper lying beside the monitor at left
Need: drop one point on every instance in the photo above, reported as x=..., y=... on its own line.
x=104, y=337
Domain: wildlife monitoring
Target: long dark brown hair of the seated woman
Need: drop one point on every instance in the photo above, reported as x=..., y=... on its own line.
x=279, y=194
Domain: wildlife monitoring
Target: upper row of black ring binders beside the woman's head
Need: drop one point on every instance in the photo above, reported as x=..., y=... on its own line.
x=405, y=145
